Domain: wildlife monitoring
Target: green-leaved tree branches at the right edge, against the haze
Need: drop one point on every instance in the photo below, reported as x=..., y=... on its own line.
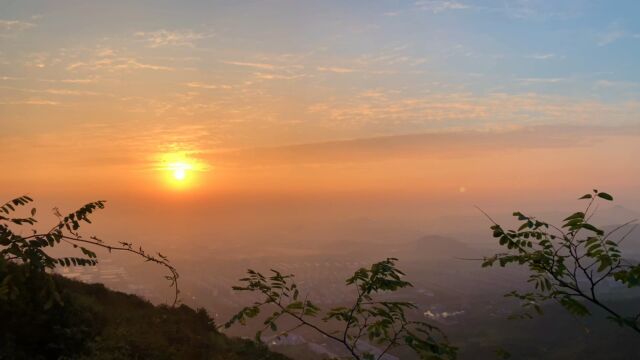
x=568, y=263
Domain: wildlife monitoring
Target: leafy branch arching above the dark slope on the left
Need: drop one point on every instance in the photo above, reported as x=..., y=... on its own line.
x=31, y=250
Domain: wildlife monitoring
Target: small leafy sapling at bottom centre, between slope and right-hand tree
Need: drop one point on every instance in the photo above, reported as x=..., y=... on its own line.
x=384, y=323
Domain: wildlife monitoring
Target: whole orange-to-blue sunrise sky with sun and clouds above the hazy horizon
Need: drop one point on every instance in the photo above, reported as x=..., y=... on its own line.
x=441, y=102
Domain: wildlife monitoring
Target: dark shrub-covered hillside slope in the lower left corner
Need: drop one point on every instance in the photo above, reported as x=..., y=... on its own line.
x=97, y=323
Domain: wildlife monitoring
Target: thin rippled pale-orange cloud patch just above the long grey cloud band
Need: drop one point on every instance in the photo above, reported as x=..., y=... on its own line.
x=400, y=113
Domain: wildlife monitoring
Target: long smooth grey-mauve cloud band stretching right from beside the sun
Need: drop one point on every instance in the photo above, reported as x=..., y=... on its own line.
x=429, y=145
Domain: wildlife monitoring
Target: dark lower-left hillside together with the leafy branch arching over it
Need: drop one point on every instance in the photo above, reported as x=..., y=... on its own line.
x=46, y=316
